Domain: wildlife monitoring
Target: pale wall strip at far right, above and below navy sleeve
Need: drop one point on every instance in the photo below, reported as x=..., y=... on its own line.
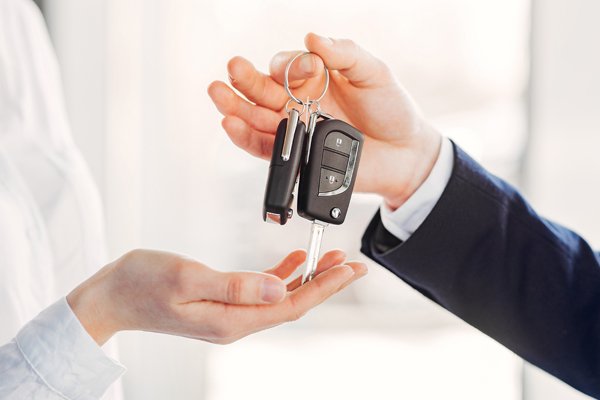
x=563, y=178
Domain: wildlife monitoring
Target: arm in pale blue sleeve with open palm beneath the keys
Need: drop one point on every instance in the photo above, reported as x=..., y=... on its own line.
x=57, y=354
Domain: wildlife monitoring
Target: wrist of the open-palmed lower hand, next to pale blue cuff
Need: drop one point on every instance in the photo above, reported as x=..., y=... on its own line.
x=91, y=304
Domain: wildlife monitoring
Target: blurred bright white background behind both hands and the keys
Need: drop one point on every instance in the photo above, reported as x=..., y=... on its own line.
x=516, y=84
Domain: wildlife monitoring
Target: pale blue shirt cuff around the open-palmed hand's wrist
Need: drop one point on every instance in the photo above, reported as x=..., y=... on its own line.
x=61, y=352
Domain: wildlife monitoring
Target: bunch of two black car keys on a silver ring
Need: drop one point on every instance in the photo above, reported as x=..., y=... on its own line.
x=325, y=152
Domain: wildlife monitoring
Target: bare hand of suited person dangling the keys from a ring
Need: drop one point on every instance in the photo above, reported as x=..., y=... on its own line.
x=400, y=147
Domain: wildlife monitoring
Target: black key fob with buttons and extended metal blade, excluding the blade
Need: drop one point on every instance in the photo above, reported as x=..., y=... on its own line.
x=327, y=177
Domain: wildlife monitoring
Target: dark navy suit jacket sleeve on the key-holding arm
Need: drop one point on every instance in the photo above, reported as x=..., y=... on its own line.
x=486, y=256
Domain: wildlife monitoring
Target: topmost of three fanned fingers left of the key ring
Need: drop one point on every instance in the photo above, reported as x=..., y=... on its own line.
x=256, y=86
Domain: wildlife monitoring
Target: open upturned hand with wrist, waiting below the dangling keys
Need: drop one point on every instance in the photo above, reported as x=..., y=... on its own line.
x=164, y=292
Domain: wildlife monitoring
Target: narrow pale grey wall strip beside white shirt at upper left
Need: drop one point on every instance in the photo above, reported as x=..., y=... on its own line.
x=78, y=30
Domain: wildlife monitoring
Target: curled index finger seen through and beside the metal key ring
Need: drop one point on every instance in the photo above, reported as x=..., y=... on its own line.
x=304, y=67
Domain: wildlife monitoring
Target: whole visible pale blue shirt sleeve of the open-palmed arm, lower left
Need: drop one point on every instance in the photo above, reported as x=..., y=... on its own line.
x=53, y=357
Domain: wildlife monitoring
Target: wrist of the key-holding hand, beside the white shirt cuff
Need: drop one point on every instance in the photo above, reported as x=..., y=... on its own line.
x=414, y=163
